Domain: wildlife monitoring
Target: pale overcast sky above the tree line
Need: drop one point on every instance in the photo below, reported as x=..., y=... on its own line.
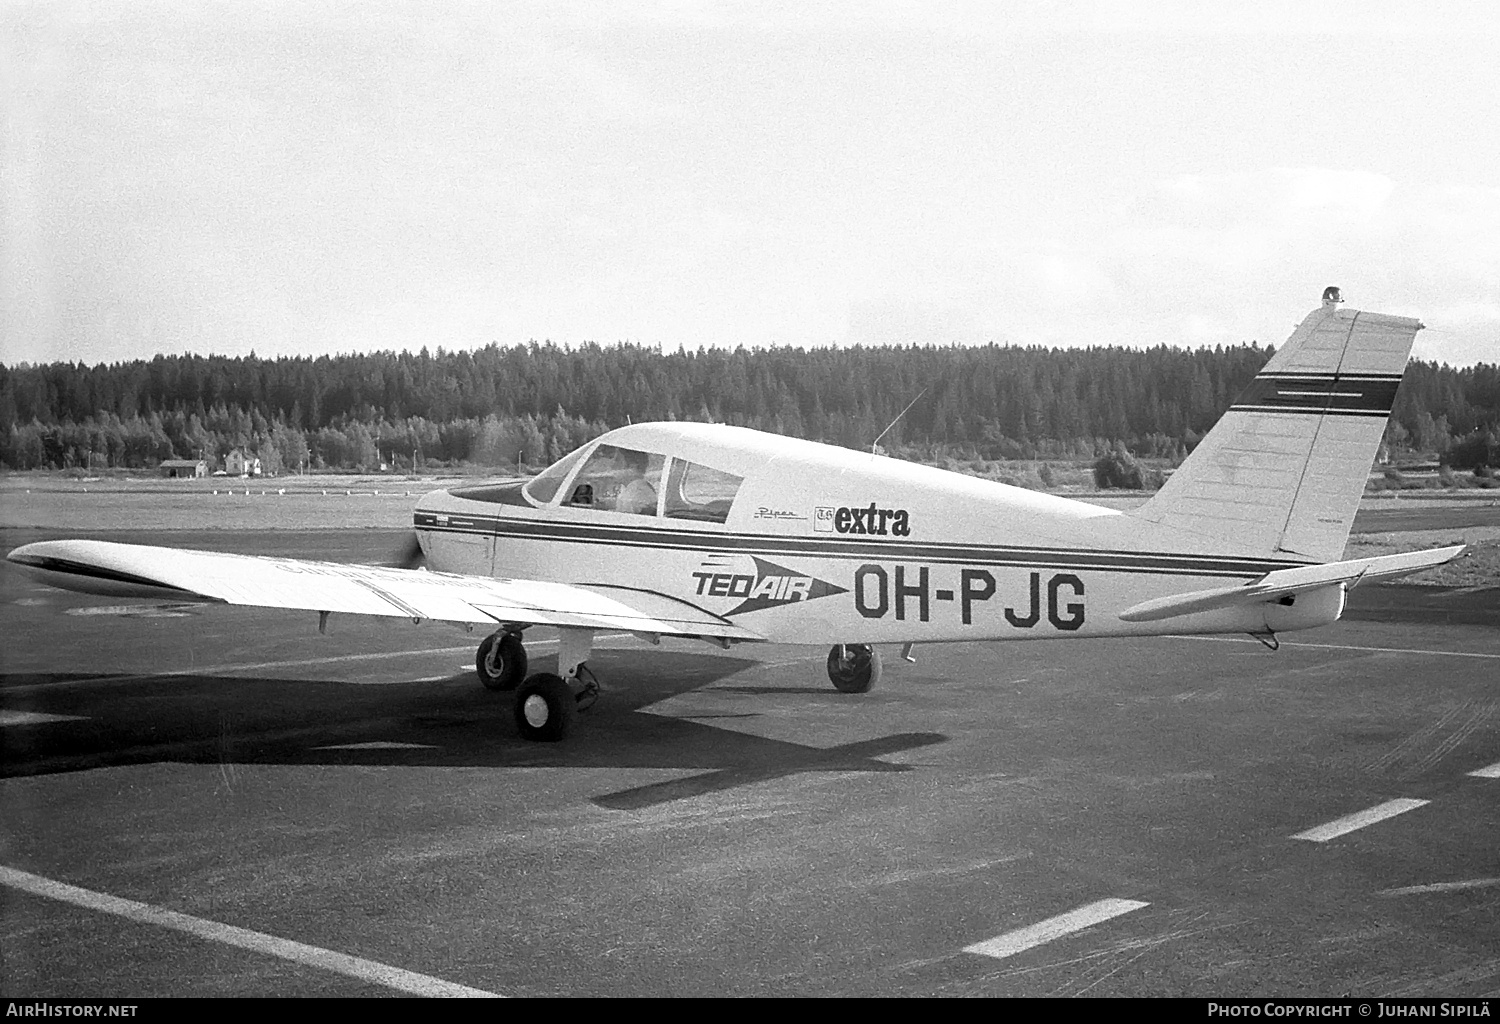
x=320, y=178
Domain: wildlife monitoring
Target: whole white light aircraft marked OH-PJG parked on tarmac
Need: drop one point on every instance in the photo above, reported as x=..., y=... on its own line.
x=734, y=536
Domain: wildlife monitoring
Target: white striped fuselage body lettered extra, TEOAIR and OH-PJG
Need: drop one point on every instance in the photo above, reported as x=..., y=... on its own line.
x=826, y=545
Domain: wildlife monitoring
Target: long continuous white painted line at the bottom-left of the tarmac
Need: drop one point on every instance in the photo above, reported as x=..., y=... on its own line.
x=365, y=971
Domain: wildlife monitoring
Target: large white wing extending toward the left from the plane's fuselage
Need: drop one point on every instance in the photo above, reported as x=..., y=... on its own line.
x=140, y=570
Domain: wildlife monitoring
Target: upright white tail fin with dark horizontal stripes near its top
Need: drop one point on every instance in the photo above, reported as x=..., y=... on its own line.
x=1283, y=472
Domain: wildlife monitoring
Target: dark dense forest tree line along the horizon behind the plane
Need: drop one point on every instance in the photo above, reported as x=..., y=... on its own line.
x=530, y=404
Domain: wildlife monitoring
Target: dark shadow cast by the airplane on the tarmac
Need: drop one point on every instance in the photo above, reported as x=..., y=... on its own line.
x=97, y=722
